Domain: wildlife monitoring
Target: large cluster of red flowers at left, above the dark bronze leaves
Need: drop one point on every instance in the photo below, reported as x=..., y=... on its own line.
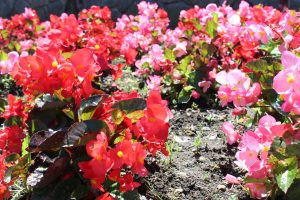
x=48, y=71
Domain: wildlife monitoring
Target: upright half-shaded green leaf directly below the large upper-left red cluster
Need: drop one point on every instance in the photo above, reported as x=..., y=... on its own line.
x=88, y=107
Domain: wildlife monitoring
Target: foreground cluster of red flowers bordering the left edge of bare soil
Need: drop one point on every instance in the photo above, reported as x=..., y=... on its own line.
x=145, y=131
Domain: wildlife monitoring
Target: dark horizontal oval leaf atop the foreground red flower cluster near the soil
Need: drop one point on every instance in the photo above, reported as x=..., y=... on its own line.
x=130, y=105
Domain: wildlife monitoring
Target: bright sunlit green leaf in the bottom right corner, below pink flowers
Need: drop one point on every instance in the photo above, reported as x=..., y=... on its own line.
x=286, y=177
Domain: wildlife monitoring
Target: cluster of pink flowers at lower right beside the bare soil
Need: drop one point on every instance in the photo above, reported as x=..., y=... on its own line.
x=253, y=152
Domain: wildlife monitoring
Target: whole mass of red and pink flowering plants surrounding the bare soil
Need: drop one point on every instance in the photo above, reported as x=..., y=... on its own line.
x=66, y=124
